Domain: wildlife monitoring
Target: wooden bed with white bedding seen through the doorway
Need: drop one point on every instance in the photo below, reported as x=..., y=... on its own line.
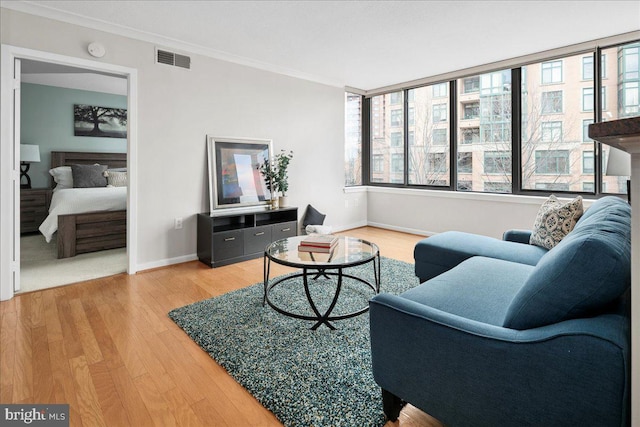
x=86, y=219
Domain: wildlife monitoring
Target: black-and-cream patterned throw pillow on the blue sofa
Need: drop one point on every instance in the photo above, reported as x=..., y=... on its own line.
x=555, y=220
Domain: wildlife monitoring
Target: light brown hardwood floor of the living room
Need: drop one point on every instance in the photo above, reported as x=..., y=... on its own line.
x=108, y=349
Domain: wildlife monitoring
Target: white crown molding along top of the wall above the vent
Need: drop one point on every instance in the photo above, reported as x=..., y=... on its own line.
x=157, y=39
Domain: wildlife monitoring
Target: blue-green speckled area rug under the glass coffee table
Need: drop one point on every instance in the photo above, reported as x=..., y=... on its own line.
x=306, y=378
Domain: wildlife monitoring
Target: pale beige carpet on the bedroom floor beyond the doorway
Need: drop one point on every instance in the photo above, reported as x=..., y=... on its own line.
x=40, y=269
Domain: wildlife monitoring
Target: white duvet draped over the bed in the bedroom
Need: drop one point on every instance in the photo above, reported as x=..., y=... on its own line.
x=80, y=200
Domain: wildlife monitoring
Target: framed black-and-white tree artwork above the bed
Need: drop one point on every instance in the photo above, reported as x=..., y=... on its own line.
x=102, y=122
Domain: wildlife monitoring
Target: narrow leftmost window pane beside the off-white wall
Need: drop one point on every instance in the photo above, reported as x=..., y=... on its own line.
x=353, y=139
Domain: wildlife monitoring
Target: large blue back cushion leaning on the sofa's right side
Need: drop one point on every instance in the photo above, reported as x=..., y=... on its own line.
x=588, y=269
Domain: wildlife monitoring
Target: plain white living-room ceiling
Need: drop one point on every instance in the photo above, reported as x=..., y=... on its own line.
x=360, y=44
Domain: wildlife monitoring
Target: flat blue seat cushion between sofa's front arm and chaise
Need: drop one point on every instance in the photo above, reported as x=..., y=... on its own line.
x=479, y=288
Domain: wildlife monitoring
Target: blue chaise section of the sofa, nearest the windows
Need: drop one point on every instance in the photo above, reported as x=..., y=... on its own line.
x=437, y=254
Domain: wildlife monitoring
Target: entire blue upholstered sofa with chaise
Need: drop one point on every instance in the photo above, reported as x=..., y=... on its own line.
x=503, y=333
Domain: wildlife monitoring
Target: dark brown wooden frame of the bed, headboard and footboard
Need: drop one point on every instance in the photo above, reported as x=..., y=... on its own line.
x=91, y=231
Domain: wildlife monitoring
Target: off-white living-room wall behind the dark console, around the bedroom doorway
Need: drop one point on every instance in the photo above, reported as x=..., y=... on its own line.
x=178, y=108
